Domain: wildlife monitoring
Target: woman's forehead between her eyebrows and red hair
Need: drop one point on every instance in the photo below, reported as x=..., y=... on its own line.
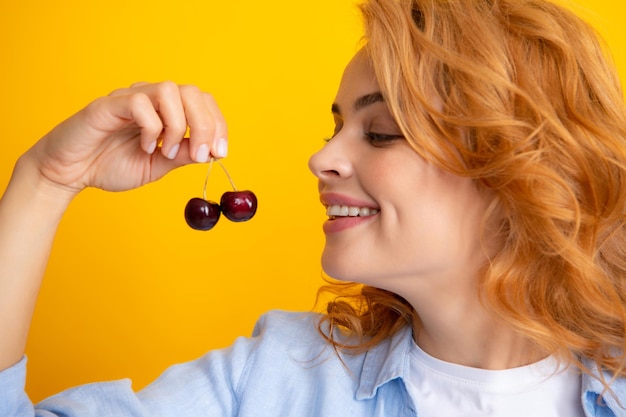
x=358, y=80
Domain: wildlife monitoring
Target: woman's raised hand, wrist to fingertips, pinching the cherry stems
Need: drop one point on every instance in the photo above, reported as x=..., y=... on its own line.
x=131, y=137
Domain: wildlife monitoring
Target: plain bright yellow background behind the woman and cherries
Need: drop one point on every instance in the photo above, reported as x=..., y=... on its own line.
x=130, y=289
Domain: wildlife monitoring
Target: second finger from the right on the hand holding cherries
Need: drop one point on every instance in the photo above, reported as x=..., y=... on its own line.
x=201, y=122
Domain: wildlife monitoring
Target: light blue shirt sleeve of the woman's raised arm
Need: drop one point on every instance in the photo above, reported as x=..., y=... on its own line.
x=205, y=387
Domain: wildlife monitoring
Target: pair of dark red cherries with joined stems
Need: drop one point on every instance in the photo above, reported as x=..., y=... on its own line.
x=237, y=206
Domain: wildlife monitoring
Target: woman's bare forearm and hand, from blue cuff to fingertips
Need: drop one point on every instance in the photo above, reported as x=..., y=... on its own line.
x=122, y=141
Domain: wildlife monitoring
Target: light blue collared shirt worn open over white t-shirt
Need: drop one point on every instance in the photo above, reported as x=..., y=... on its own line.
x=284, y=369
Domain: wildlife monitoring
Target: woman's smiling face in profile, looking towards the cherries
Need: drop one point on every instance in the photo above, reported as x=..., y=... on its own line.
x=395, y=219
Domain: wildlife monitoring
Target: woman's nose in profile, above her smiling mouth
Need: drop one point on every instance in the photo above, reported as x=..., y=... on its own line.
x=332, y=162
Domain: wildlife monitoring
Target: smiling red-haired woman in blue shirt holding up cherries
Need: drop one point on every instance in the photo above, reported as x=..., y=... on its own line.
x=475, y=184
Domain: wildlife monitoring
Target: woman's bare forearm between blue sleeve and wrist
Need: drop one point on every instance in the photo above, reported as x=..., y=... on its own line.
x=30, y=211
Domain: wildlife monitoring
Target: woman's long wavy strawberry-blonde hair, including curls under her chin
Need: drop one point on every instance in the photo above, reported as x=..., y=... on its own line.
x=521, y=96
